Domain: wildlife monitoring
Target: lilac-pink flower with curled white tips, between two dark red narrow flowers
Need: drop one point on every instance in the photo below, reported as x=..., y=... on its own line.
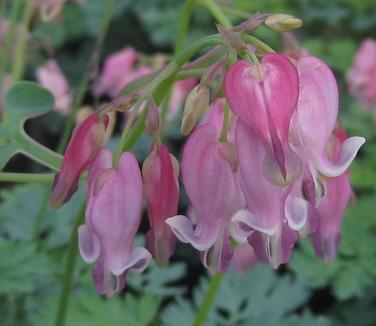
x=113, y=215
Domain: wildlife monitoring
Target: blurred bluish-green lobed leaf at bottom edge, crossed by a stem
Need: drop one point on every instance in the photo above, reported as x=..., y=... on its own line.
x=258, y=297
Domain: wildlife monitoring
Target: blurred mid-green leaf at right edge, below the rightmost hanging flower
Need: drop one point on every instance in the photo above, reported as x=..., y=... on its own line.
x=353, y=270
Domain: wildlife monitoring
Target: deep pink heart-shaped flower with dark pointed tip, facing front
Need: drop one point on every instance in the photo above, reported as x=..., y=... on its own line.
x=264, y=97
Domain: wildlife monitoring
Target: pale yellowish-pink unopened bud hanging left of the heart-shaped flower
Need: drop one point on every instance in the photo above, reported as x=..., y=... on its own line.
x=195, y=105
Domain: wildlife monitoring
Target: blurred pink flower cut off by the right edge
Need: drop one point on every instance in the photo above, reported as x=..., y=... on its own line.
x=362, y=77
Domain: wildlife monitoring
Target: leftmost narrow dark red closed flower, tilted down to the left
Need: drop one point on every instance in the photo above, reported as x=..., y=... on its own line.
x=87, y=138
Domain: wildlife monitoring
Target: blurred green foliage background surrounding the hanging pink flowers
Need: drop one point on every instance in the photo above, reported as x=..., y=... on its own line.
x=305, y=292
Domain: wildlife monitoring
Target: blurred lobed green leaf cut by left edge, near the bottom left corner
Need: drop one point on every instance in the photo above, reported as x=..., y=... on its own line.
x=22, y=267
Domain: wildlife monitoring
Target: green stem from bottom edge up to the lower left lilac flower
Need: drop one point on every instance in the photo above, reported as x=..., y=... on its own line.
x=69, y=269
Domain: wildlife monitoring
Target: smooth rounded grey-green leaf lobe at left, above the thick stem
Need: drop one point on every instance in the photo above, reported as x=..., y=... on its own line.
x=25, y=100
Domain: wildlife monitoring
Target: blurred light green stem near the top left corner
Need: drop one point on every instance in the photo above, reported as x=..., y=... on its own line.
x=21, y=42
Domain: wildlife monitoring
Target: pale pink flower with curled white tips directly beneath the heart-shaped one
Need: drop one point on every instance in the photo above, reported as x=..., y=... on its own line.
x=264, y=223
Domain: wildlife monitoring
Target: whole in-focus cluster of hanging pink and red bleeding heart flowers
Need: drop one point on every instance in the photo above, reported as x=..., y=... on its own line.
x=266, y=165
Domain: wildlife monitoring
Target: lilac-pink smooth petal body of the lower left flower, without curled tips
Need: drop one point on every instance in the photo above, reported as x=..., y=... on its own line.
x=116, y=212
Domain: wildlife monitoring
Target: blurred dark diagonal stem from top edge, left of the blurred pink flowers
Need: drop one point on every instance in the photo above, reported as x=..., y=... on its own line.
x=91, y=66
